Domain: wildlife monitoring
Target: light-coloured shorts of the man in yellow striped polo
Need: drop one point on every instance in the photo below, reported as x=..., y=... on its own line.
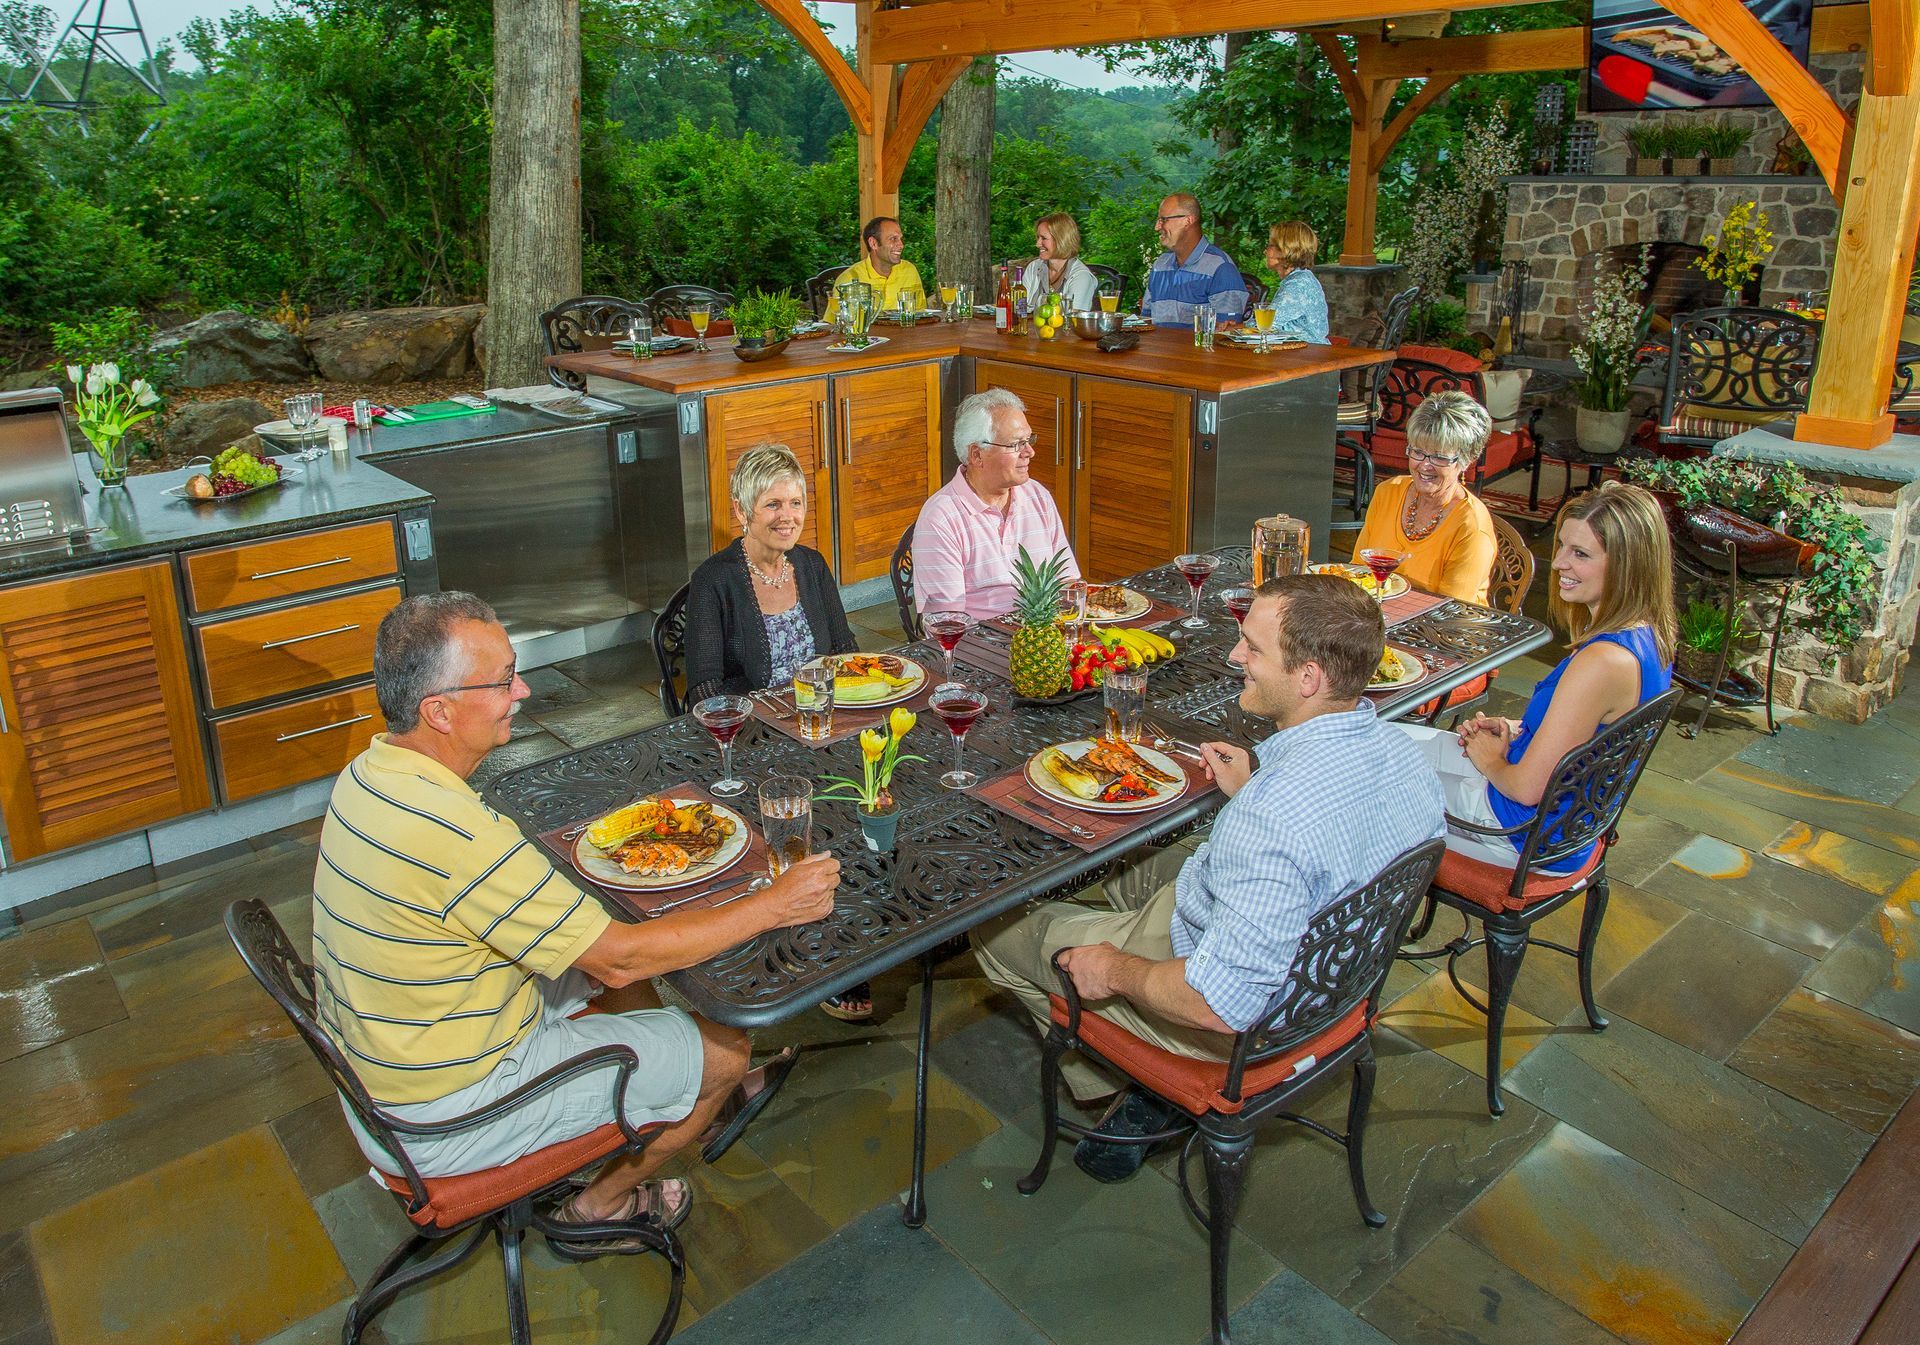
x=663, y=1089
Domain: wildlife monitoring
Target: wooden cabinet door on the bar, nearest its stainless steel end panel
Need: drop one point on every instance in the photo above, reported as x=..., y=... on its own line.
x=1130, y=492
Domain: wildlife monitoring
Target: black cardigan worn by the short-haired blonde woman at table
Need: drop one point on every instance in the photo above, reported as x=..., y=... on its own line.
x=727, y=630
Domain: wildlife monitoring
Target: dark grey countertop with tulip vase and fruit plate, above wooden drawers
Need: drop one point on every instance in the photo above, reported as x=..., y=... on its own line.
x=141, y=521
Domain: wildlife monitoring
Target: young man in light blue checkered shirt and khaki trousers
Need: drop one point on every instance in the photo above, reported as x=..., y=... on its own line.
x=1312, y=814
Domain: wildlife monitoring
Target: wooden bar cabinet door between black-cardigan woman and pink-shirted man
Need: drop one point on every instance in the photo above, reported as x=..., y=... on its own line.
x=890, y=460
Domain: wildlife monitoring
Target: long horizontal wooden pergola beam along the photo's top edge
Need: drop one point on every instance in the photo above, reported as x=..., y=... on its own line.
x=992, y=28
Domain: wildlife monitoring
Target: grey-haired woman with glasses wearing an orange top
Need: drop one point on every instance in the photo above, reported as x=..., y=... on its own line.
x=1431, y=515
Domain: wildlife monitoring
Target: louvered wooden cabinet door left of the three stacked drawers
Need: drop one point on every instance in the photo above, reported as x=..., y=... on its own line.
x=101, y=728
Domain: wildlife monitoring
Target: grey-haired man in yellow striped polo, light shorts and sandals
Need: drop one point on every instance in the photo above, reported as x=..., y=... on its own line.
x=450, y=955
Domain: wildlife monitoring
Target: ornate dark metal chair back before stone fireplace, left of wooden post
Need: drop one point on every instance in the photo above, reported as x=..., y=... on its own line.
x=1735, y=369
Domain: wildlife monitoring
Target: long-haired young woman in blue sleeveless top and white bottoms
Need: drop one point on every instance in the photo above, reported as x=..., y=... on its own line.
x=1612, y=588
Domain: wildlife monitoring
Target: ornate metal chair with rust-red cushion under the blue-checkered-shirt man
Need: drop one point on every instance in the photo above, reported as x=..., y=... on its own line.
x=1316, y=1027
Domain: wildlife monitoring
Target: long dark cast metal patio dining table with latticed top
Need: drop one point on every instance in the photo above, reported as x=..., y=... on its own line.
x=959, y=862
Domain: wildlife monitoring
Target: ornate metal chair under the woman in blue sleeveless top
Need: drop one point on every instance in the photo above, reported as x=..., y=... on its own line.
x=1585, y=795
